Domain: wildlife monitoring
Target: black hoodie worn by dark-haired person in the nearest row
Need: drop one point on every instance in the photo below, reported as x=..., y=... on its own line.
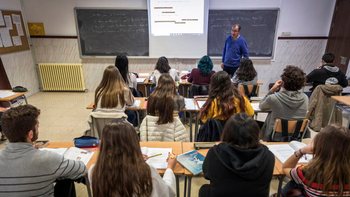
x=233, y=171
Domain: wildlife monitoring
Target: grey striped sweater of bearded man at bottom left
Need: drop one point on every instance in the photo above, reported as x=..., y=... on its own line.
x=26, y=171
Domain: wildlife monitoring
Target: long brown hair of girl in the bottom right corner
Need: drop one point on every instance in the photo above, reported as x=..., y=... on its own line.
x=331, y=161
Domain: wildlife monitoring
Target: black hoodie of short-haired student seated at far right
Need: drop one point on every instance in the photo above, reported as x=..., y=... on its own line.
x=328, y=74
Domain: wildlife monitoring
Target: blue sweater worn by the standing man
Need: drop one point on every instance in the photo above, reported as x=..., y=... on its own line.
x=233, y=51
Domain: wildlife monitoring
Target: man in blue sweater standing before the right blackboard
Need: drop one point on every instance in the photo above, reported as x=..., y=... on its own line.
x=235, y=47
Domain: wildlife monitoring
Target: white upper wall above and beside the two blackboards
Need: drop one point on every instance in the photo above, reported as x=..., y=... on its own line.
x=301, y=17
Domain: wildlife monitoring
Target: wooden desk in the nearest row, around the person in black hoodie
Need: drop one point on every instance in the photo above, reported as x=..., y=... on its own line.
x=188, y=146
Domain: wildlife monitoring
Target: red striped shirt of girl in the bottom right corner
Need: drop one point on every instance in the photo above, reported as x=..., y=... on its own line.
x=297, y=175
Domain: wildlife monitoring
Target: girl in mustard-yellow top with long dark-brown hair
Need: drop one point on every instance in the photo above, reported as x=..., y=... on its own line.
x=224, y=99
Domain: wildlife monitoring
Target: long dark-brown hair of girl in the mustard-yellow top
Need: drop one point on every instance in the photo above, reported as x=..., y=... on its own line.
x=222, y=89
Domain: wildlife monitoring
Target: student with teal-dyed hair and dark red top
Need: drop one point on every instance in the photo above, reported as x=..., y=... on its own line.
x=202, y=74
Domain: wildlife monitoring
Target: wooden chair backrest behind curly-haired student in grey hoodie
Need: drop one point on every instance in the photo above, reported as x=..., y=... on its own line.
x=297, y=130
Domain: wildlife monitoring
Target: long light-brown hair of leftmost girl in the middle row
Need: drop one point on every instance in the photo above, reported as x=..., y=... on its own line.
x=111, y=89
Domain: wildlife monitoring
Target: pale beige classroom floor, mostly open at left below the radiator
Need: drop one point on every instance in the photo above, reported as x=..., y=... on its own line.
x=64, y=115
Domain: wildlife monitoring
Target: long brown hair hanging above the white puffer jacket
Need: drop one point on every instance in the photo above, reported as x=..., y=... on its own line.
x=161, y=101
